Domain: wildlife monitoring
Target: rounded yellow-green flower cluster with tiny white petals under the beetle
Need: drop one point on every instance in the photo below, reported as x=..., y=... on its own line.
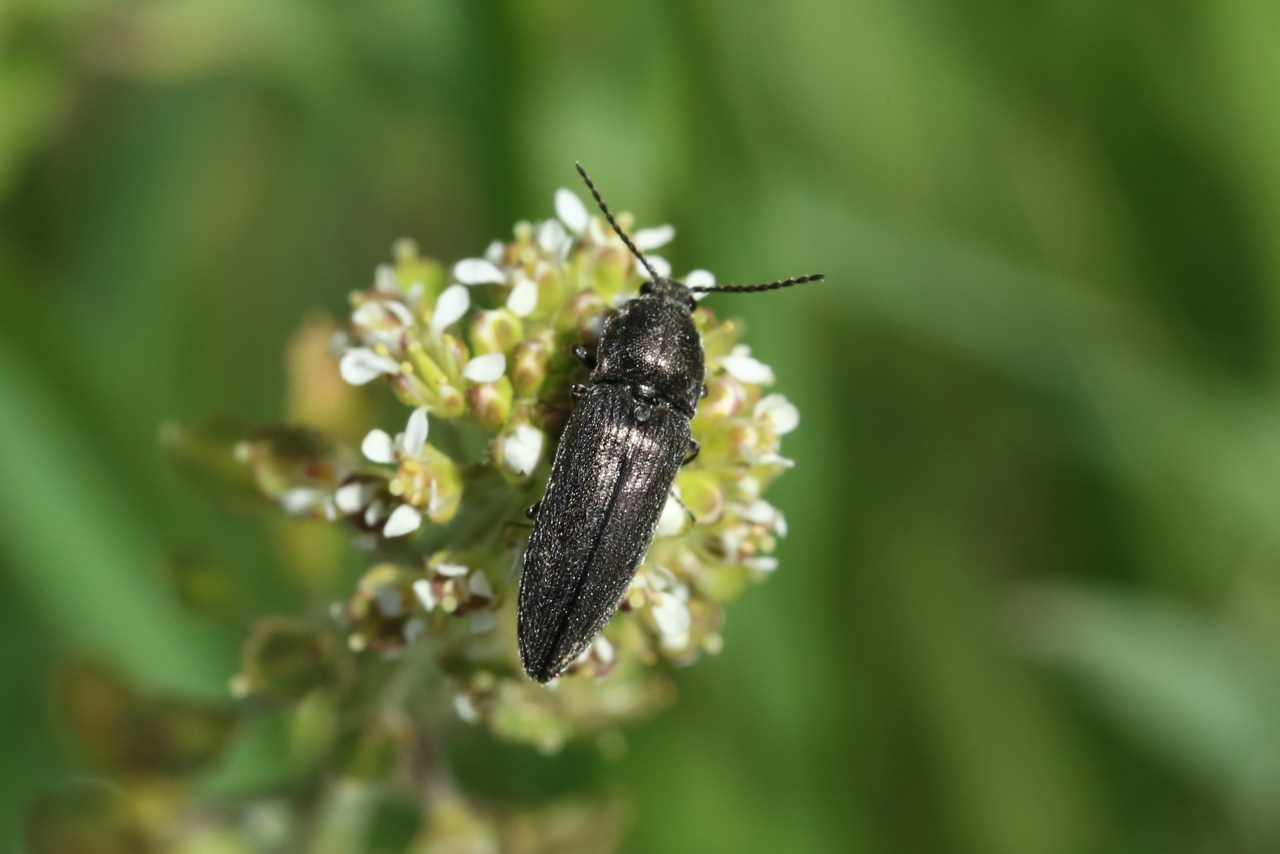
x=481, y=357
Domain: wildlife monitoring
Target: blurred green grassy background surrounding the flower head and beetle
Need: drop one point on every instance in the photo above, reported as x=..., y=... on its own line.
x=1030, y=602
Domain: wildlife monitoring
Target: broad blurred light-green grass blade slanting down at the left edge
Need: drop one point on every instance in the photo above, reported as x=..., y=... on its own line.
x=80, y=555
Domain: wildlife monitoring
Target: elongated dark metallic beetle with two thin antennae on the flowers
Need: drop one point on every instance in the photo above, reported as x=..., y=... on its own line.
x=615, y=467
